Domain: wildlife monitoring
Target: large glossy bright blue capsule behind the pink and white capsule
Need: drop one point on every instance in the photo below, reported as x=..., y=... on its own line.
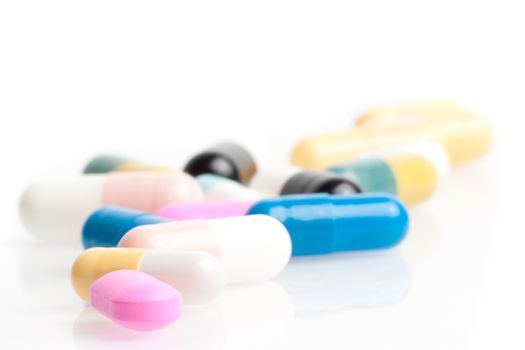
x=321, y=223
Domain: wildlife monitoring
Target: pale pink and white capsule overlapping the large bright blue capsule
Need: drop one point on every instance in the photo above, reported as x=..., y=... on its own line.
x=253, y=247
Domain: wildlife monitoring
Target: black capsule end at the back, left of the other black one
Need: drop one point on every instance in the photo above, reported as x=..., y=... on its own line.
x=224, y=159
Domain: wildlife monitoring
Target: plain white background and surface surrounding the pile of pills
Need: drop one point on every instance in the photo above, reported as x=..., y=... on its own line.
x=162, y=79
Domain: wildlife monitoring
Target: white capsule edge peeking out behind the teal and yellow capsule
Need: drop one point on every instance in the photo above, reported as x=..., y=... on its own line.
x=433, y=152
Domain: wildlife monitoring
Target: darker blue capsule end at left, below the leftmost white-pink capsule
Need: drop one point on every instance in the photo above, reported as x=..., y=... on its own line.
x=106, y=226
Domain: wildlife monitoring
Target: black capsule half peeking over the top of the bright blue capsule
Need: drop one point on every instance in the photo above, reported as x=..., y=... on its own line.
x=310, y=181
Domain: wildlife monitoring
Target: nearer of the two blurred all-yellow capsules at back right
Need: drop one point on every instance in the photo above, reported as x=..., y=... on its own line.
x=464, y=136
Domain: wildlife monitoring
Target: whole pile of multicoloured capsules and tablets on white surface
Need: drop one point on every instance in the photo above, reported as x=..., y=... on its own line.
x=156, y=237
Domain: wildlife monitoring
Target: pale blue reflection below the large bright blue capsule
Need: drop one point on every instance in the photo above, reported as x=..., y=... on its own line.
x=321, y=285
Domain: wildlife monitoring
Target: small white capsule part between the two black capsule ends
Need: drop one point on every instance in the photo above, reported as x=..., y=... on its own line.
x=271, y=178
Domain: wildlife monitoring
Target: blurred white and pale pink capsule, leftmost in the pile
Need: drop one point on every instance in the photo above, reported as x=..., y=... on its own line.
x=57, y=208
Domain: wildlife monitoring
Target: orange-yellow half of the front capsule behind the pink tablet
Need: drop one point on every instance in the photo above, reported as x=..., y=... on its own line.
x=96, y=262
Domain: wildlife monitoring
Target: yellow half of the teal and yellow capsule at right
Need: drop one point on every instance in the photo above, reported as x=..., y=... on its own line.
x=417, y=178
